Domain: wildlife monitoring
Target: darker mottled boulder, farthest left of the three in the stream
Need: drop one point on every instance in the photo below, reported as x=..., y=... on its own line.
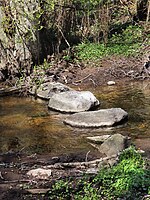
x=47, y=90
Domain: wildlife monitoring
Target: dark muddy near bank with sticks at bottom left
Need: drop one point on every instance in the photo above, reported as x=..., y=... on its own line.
x=15, y=184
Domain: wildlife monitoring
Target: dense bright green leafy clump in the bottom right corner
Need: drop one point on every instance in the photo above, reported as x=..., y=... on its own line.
x=128, y=179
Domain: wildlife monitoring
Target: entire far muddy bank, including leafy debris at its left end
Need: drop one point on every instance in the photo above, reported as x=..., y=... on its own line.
x=86, y=74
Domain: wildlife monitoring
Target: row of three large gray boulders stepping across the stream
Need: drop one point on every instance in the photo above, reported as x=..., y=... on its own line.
x=64, y=99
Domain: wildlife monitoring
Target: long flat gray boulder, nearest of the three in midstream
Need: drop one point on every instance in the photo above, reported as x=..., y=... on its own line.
x=97, y=119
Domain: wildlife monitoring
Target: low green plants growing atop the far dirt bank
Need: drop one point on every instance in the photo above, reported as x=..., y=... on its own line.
x=128, y=44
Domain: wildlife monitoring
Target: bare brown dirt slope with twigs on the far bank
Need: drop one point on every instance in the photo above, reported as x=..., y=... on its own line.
x=92, y=74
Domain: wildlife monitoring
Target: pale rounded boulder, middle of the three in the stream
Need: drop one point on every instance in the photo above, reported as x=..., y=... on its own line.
x=73, y=101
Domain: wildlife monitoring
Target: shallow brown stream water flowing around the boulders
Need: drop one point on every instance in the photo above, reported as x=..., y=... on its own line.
x=27, y=125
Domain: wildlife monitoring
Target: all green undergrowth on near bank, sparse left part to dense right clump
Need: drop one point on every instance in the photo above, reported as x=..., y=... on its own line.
x=128, y=180
